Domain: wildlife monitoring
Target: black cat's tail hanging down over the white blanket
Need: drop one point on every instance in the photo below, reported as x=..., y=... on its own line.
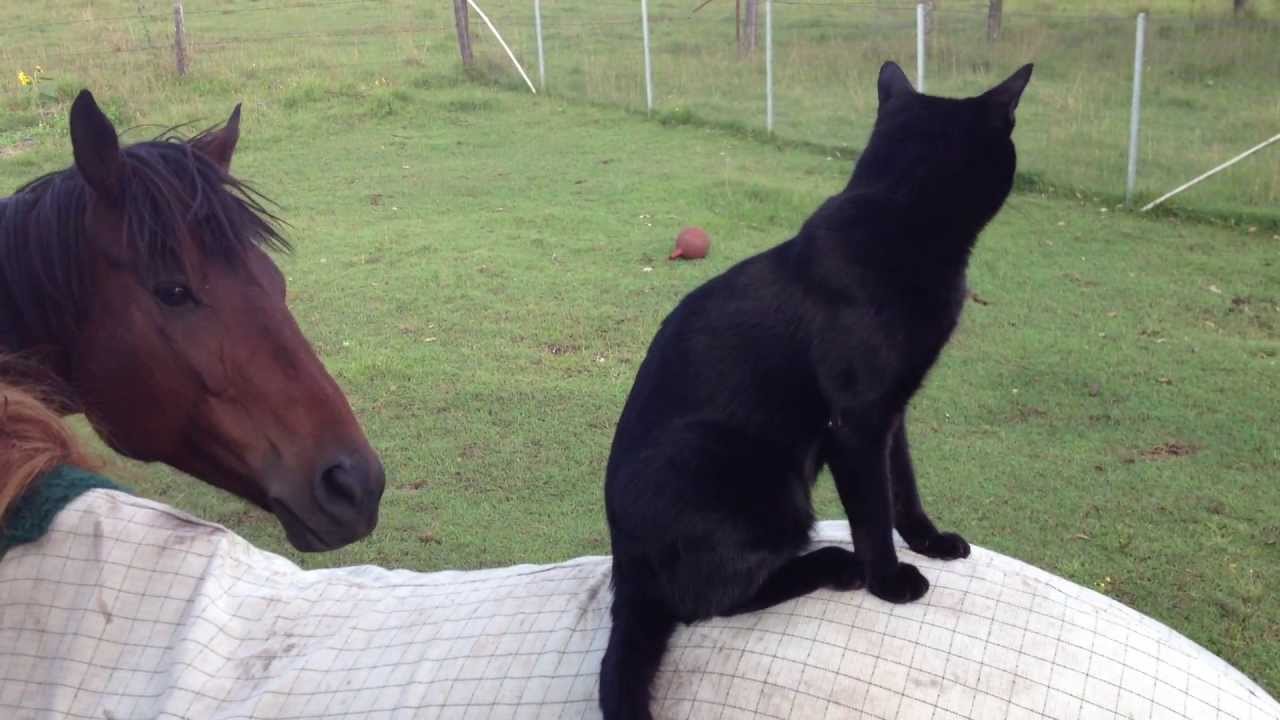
x=642, y=630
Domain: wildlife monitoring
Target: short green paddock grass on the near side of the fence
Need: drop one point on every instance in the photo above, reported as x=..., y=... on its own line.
x=483, y=272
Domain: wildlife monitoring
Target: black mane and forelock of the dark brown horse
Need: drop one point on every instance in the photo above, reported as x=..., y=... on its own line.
x=170, y=188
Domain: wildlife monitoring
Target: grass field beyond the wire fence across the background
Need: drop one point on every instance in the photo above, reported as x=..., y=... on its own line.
x=1209, y=92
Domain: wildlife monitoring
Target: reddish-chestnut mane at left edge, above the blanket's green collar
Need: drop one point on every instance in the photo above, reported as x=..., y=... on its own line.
x=34, y=440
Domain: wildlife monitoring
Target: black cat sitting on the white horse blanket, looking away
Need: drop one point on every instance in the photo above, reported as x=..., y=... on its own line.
x=799, y=358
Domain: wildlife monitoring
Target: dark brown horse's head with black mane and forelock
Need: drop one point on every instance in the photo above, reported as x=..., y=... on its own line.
x=138, y=285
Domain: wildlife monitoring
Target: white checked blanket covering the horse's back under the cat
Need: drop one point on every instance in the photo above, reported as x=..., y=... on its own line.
x=129, y=609
